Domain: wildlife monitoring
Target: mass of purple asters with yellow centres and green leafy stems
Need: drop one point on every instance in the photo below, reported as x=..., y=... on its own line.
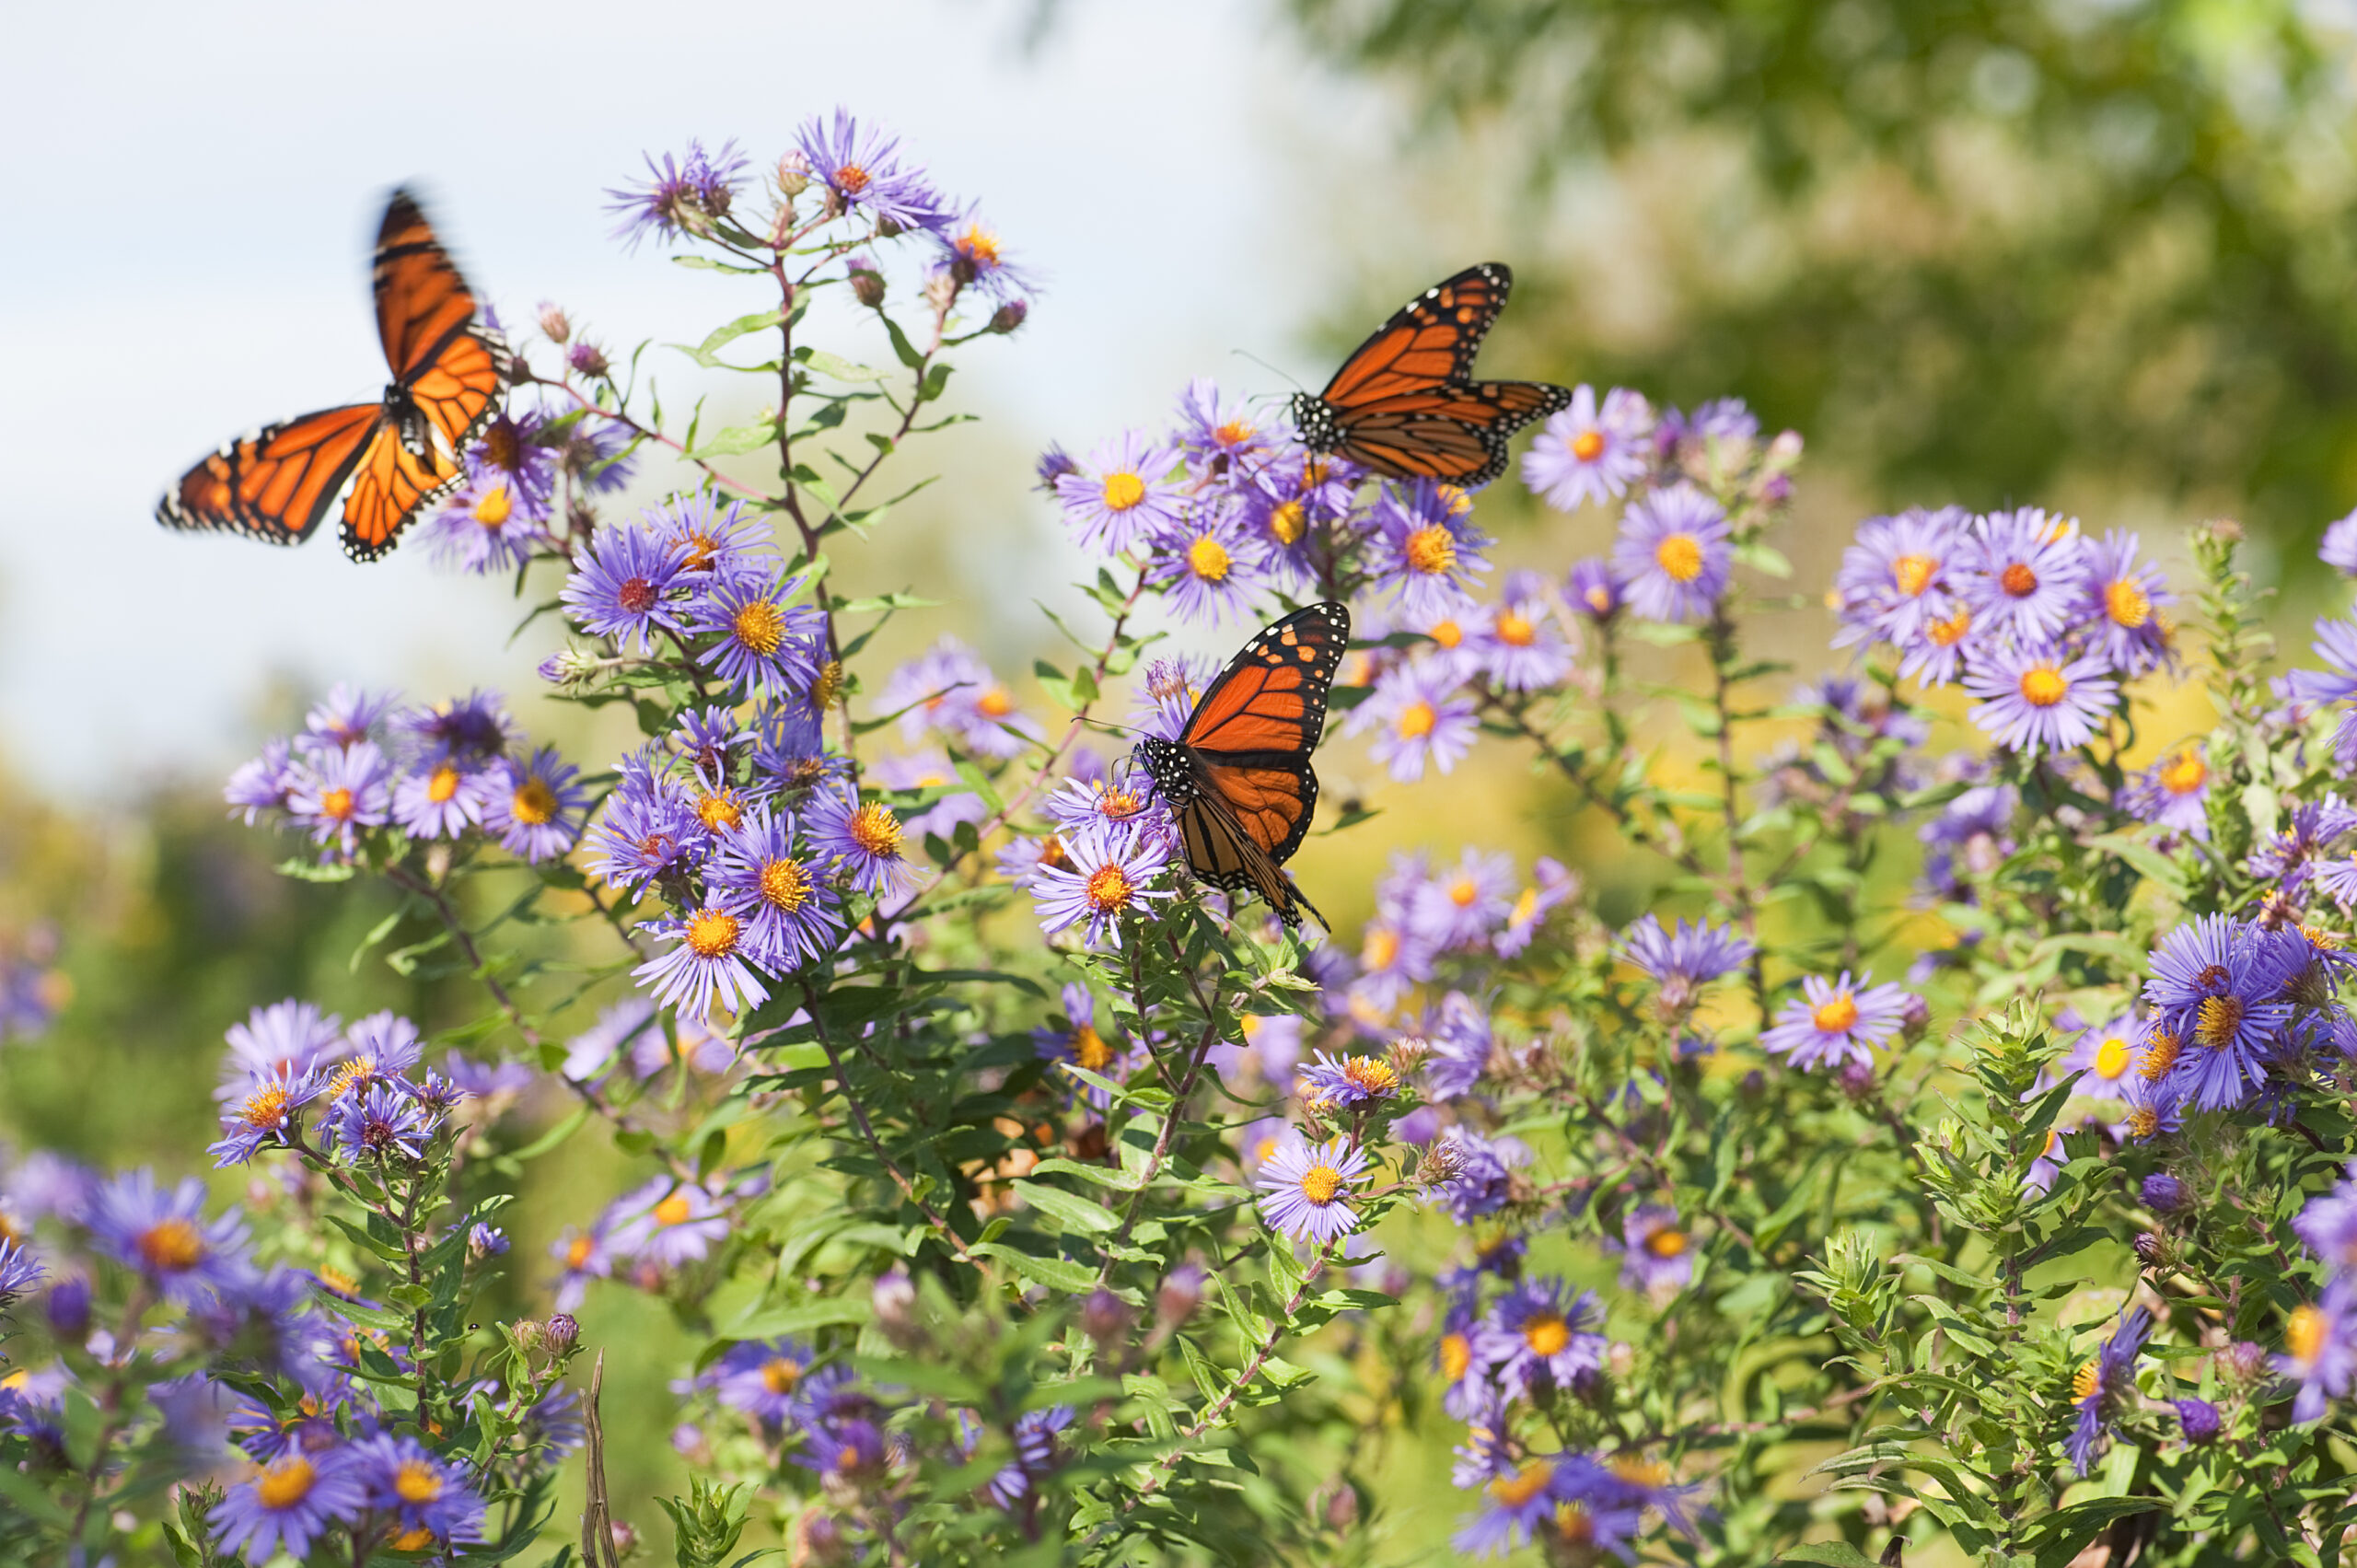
x=1943, y=1145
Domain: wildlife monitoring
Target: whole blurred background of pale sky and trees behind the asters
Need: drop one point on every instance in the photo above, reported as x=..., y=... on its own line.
x=2080, y=253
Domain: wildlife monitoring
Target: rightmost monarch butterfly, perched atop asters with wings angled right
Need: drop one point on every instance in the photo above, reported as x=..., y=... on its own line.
x=1406, y=404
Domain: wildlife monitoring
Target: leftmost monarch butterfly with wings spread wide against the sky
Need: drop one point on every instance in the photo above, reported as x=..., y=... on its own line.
x=385, y=459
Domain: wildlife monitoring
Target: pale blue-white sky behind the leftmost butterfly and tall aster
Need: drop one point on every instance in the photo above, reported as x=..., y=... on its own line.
x=192, y=195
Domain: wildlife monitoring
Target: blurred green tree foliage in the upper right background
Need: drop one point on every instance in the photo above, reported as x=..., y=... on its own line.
x=1983, y=246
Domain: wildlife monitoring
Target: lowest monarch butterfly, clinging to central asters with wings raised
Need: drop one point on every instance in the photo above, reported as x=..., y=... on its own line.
x=1239, y=779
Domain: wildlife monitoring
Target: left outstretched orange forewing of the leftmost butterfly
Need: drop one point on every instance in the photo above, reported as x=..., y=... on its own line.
x=279, y=482
